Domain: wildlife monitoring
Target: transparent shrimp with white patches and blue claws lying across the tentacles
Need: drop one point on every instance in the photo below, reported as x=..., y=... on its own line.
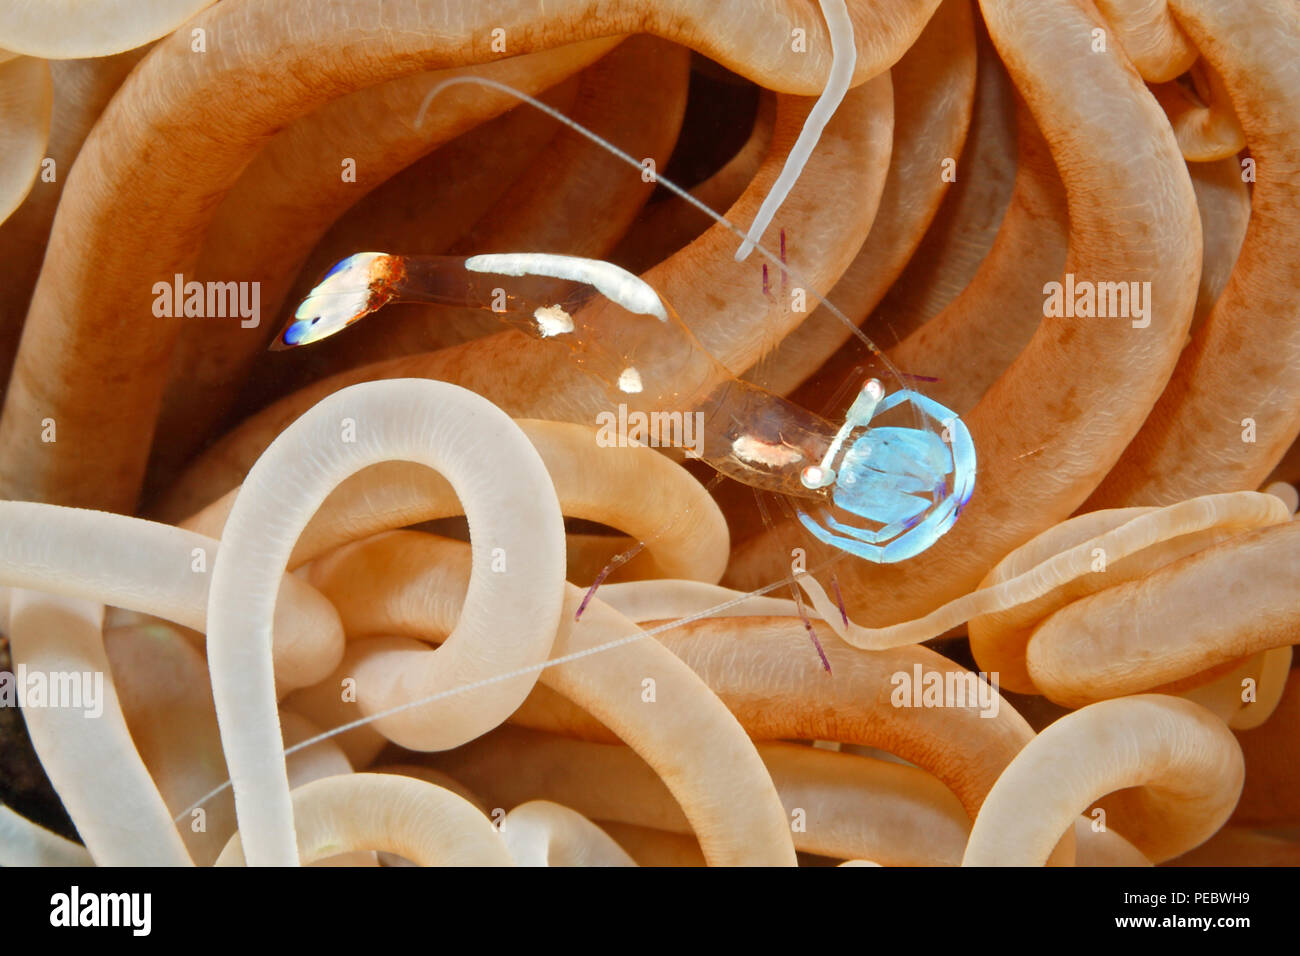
x=878, y=485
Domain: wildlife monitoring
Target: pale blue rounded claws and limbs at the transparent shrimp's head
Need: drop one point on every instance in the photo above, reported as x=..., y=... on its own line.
x=908, y=482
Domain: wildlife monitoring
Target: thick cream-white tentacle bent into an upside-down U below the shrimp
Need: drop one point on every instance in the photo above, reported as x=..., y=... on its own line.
x=448, y=432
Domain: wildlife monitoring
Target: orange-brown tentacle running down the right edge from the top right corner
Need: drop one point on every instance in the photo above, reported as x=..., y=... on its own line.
x=1232, y=404
